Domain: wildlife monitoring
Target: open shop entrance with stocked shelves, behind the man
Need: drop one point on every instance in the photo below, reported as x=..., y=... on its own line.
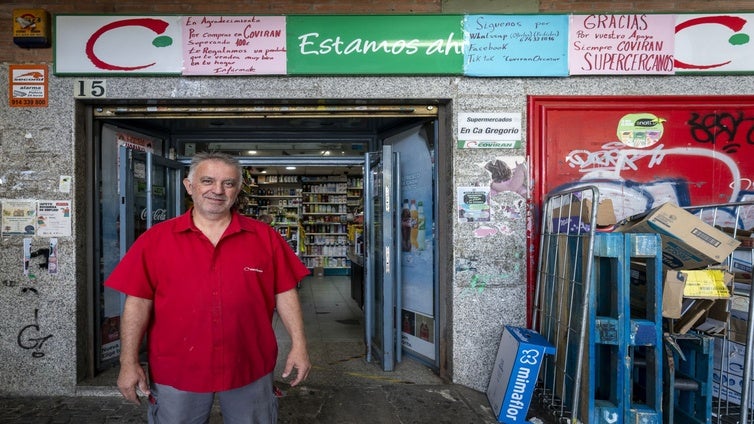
x=304, y=168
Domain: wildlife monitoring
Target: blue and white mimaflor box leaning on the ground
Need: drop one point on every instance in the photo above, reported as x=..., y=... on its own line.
x=515, y=374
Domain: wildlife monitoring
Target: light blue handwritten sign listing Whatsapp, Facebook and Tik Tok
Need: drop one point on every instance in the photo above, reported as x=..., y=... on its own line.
x=509, y=45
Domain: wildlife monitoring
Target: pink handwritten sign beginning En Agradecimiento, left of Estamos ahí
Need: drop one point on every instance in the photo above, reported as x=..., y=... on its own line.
x=234, y=45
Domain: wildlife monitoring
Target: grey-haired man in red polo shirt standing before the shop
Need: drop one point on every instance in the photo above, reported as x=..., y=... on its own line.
x=203, y=288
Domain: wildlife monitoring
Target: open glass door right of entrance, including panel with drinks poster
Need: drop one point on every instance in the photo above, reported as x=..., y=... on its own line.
x=401, y=287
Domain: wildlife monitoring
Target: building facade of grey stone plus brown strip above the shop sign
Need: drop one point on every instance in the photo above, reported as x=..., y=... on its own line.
x=46, y=323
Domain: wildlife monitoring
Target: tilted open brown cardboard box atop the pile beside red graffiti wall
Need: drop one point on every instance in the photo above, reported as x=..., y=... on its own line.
x=687, y=241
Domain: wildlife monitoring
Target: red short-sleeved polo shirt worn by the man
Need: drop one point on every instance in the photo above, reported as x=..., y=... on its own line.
x=211, y=327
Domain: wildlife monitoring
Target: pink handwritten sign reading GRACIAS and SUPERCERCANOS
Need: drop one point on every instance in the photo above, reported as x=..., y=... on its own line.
x=621, y=44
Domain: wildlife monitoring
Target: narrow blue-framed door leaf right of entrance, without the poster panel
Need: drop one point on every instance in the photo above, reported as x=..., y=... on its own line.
x=382, y=285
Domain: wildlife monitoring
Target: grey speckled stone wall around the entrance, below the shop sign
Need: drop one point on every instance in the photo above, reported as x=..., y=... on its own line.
x=42, y=317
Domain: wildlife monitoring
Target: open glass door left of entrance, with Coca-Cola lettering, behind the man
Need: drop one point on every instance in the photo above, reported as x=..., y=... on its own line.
x=138, y=189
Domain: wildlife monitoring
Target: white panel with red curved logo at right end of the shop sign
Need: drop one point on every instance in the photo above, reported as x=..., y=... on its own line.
x=714, y=43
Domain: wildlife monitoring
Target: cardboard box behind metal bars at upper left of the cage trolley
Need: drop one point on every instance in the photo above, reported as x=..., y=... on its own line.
x=576, y=216
